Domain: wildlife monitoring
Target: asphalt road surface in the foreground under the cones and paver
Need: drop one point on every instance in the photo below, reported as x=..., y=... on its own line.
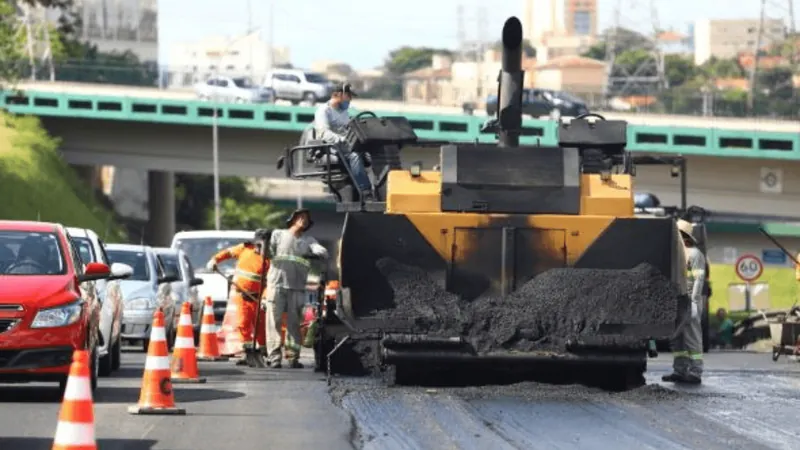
x=747, y=402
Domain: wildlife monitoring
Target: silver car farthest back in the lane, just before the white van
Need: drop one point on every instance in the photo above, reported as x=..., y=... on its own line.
x=185, y=289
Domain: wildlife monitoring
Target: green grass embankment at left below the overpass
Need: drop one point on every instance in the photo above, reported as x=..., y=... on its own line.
x=36, y=184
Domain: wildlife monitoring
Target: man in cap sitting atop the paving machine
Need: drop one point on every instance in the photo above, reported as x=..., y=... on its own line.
x=330, y=125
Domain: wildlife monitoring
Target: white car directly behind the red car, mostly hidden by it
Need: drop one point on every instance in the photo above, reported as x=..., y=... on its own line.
x=109, y=292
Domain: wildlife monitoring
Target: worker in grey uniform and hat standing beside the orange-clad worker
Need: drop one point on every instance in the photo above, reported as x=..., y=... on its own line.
x=291, y=251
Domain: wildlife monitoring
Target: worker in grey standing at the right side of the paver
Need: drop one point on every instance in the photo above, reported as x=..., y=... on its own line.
x=687, y=347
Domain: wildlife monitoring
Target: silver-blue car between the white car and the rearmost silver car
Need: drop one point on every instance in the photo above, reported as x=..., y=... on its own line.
x=147, y=289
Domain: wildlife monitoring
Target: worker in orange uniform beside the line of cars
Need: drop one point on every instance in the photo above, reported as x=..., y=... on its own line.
x=251, y=267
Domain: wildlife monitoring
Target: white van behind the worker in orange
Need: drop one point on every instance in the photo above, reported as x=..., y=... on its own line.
x=200, y=246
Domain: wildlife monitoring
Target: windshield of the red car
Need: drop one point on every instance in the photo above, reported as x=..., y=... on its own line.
x=30, y=253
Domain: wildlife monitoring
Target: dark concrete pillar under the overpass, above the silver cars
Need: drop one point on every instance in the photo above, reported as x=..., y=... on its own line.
x=161, y=208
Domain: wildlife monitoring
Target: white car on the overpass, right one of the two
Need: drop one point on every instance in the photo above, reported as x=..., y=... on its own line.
x=298, y=86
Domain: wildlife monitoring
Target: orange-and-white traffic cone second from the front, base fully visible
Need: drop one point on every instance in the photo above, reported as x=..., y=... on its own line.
x=156, y=396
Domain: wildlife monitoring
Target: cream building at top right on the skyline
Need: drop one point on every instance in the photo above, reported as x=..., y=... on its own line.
x=727, y=38
